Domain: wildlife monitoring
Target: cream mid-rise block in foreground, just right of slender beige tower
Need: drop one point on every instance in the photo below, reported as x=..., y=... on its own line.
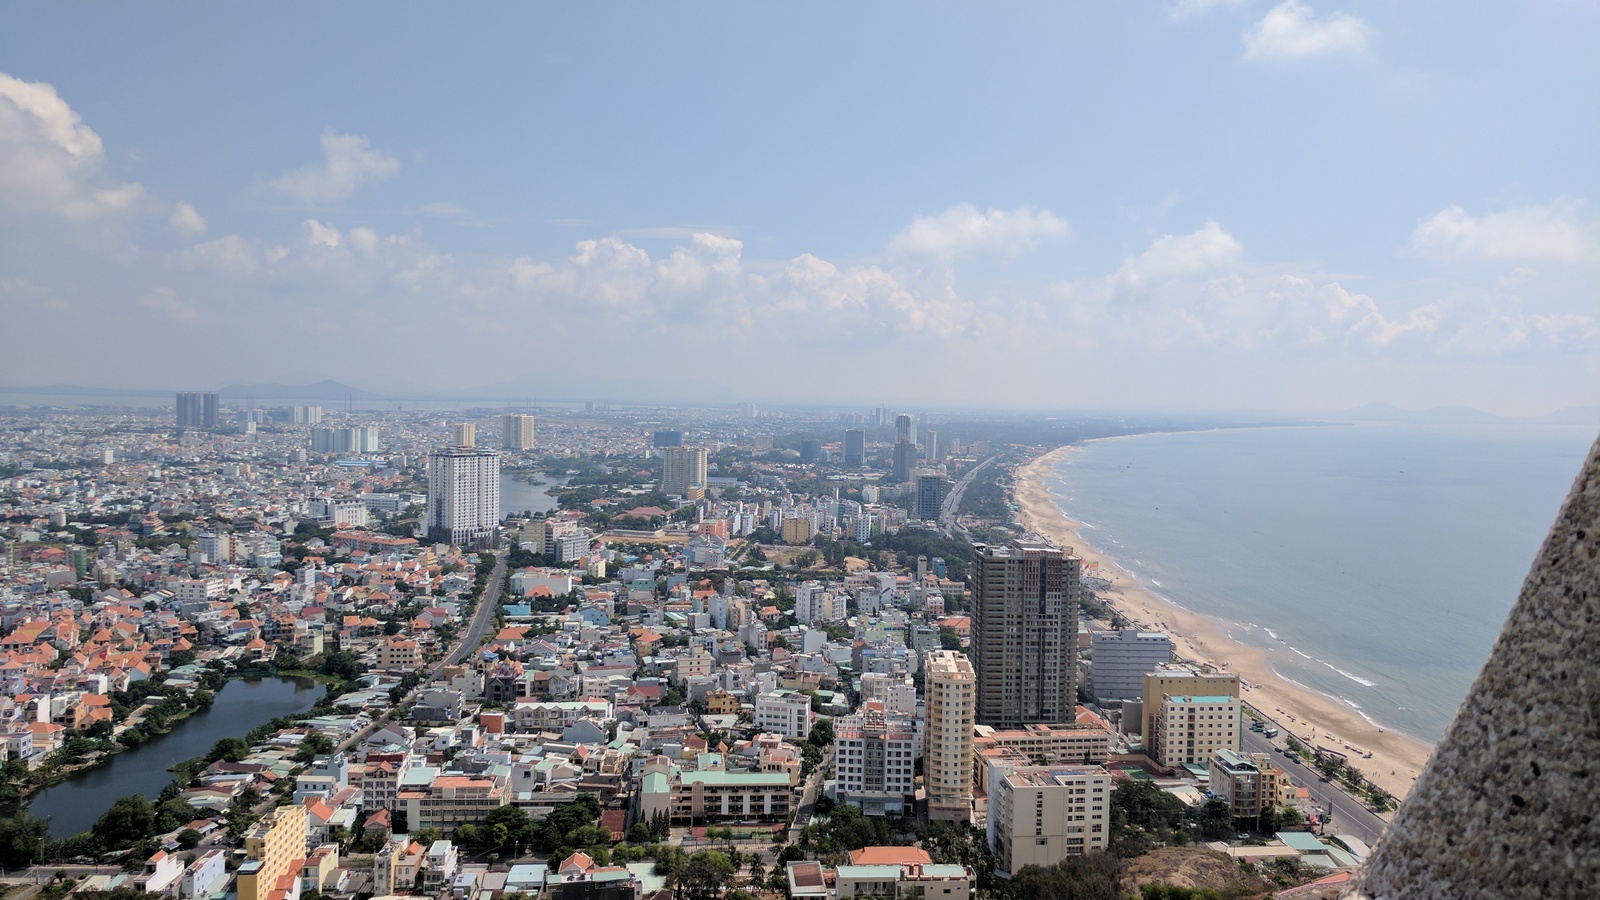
x=1041, y=816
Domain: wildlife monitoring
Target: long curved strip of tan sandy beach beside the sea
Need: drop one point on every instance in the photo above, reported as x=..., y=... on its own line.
x=1311, y=717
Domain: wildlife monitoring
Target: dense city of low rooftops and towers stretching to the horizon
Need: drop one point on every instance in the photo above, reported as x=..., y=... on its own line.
x=727, y=653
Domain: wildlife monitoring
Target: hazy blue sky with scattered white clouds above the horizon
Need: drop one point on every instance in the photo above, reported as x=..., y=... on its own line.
x=1169, y=206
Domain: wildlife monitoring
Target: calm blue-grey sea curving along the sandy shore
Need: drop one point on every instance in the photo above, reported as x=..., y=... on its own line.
x=1372, y=563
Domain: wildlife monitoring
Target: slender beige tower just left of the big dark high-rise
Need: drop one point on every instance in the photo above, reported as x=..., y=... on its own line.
x=951, y=693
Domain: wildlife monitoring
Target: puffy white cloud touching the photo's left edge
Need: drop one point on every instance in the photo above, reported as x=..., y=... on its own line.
x=50, y=161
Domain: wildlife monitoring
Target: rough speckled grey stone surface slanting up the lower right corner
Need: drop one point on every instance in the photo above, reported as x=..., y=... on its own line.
x=1508, y=805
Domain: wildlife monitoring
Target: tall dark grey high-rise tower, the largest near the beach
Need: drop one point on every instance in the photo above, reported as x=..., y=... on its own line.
x=1025, y=633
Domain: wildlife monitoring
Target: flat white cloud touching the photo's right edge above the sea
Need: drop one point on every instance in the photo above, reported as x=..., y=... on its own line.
x=1546, y=233
